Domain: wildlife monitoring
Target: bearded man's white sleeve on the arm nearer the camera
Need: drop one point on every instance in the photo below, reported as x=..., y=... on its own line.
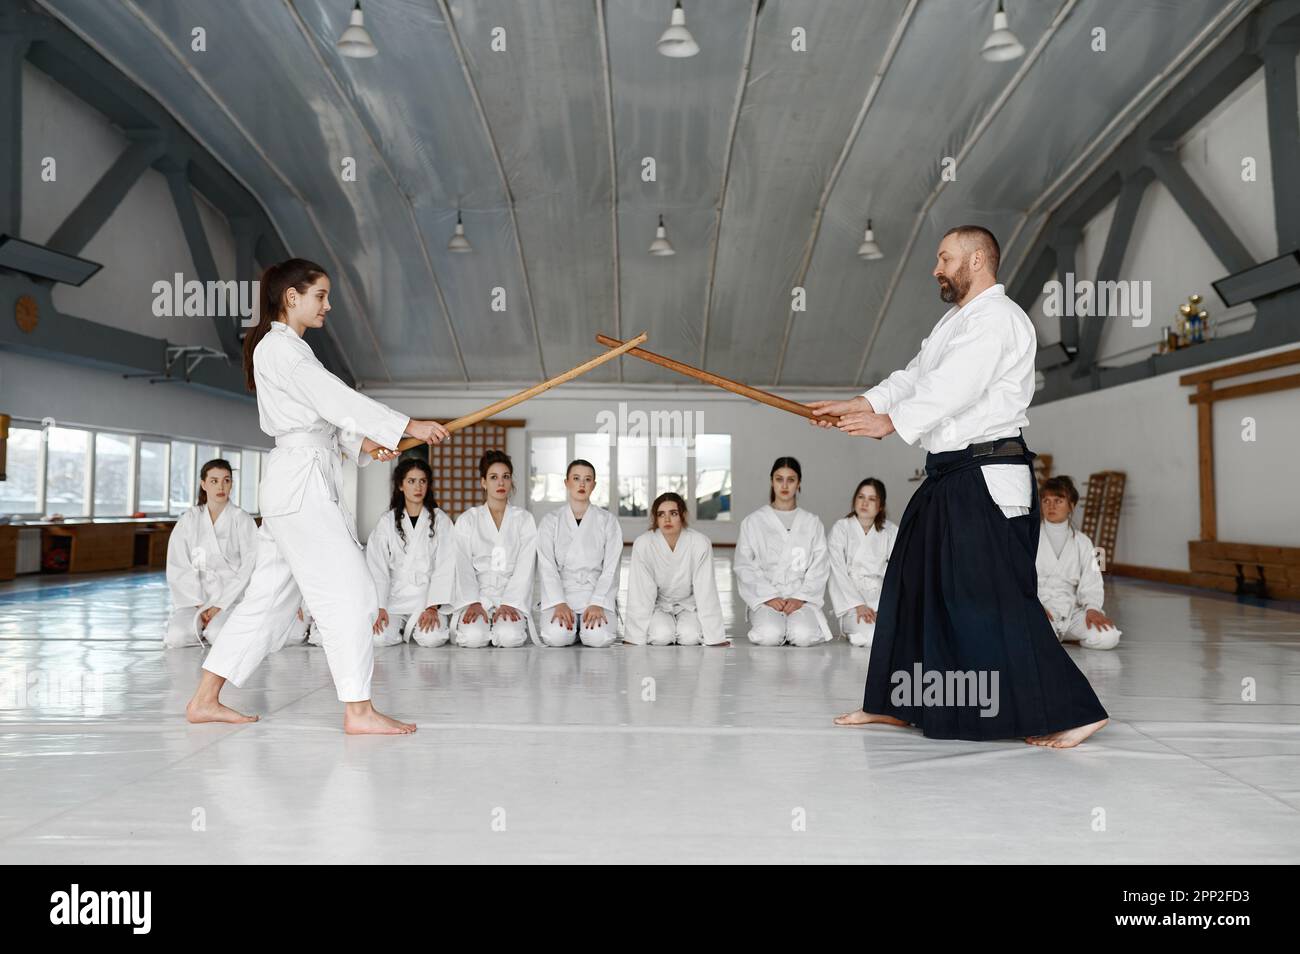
x=964, y=374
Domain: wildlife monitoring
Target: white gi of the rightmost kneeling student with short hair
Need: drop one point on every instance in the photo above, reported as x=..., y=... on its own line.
x=1071, y=584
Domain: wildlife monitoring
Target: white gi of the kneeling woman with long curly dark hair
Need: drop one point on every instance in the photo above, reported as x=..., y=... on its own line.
x=414, y=574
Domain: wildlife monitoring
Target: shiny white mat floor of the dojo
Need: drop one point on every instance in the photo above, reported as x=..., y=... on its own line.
x=558, y=749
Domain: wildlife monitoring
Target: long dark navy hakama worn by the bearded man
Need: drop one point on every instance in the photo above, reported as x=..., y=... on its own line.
x=960, y=604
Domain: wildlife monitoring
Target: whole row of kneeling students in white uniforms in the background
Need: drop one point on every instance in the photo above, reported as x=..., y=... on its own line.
x=470, y=583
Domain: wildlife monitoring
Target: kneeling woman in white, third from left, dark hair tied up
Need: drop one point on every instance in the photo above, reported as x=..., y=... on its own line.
x=497, y=553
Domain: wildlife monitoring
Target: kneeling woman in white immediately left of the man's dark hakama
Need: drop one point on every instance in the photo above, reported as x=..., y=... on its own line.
x=860, y=547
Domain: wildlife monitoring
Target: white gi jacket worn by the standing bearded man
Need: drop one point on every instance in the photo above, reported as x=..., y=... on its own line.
x=970, y=383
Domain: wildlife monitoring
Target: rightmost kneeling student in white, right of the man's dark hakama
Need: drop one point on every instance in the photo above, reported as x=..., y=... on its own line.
x=1071, y=586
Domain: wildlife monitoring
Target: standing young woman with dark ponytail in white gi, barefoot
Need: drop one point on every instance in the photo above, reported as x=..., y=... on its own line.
x=307, y=540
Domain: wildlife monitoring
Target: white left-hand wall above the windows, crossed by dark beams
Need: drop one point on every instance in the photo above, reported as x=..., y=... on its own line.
x=141, y=244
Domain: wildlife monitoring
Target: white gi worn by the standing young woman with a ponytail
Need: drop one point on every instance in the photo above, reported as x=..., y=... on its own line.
x=307, y=536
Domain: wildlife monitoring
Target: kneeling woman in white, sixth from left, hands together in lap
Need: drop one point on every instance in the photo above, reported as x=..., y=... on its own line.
x=782, y=566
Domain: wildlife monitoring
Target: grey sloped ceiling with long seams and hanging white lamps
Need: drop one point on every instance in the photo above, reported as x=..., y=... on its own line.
x=769, y=163
